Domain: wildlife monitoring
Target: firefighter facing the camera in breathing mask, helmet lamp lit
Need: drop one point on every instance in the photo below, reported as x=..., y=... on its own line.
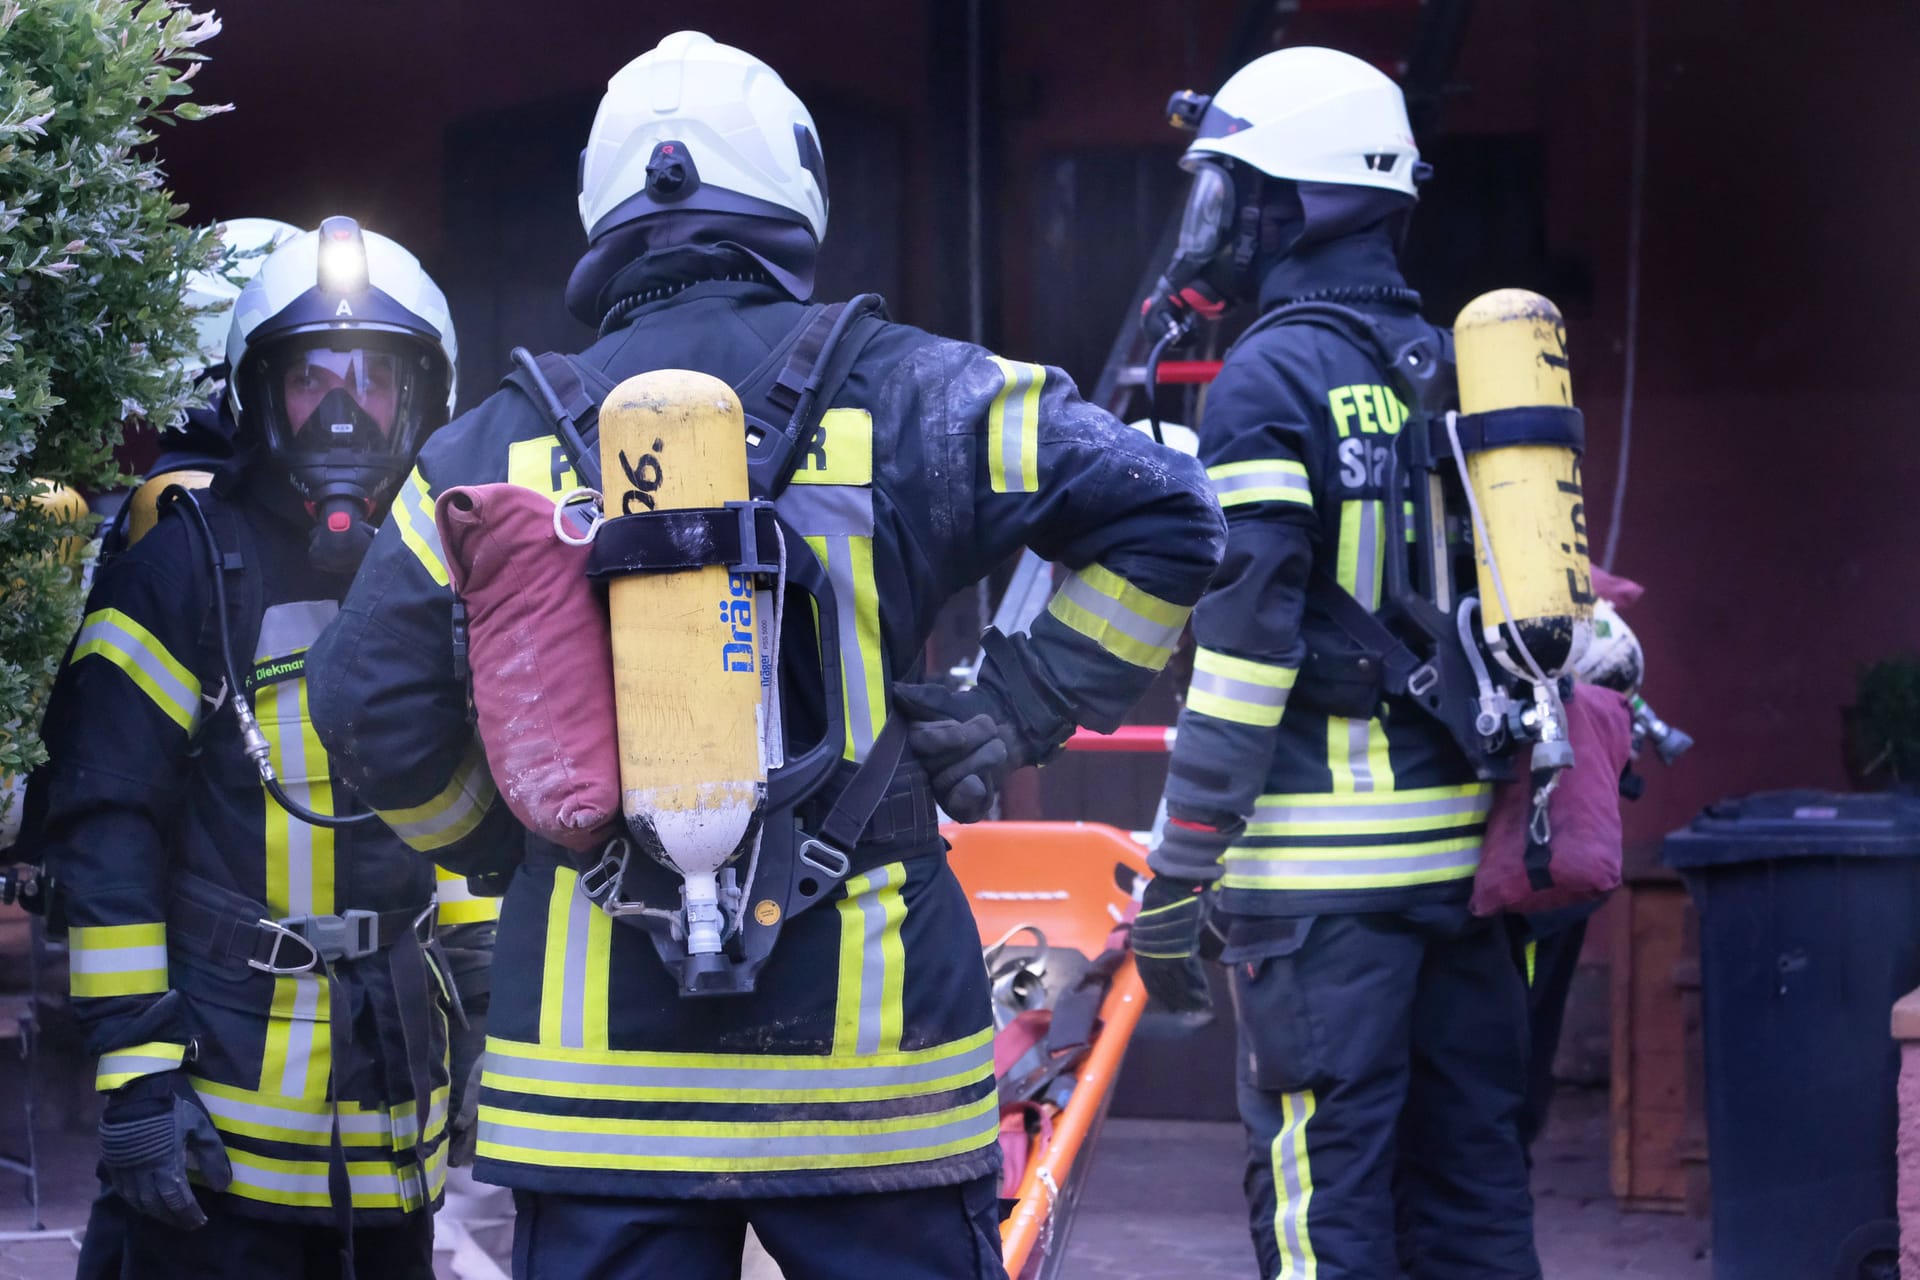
x=252, y=955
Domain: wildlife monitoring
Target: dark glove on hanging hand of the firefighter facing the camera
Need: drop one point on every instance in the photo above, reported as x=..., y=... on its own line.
x=151, y=1135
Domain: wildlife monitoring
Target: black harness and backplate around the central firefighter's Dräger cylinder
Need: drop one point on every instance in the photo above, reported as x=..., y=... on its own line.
x=719, y=947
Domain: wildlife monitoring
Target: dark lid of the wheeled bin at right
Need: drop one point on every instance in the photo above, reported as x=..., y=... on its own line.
x=1798, y=824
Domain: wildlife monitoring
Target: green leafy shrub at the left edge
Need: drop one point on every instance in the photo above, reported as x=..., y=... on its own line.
x=93, y=329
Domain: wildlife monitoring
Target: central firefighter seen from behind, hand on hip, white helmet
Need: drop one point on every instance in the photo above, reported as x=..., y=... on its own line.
x=846, y=1108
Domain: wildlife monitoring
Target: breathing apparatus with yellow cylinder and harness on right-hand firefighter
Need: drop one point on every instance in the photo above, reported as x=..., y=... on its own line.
x=1422, y=642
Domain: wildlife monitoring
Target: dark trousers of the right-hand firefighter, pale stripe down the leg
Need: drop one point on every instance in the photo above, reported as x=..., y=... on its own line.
x=1383, y=1066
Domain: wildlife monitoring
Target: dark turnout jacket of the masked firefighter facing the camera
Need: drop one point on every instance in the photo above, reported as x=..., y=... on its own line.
x=170, y=853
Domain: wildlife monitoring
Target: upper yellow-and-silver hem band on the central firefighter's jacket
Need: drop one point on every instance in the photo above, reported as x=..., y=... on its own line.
x=635, y=1076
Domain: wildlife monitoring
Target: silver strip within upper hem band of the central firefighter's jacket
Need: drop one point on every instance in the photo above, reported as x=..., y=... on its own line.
x=967, y=1060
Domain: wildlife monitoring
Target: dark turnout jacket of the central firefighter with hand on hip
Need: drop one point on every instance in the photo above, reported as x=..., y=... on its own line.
x=863, y=1060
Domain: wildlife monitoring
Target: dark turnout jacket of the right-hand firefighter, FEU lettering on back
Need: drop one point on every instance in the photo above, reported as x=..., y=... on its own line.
x=1318, y=813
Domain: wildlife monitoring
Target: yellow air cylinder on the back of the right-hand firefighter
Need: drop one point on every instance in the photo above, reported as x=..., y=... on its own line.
x=1512, y=352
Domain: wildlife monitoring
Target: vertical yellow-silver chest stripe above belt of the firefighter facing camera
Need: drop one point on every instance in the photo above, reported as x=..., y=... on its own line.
x=300, y=857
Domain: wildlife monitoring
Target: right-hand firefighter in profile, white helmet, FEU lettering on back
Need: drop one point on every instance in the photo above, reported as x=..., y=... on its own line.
x=1328, y=836
